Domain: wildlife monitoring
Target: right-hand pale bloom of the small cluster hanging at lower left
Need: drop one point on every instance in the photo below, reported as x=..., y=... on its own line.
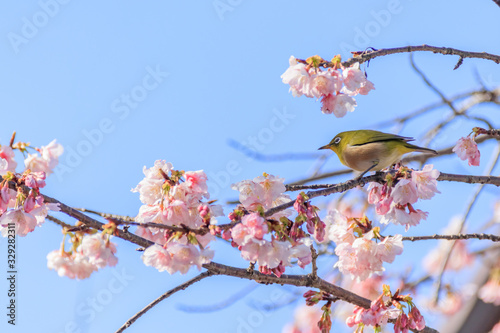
x=99, y=252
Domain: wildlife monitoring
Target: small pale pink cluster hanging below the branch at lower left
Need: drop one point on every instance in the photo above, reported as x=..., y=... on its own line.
x=92, y=253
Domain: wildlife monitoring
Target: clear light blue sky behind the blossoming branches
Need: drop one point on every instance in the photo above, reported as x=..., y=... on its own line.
x=122, y=84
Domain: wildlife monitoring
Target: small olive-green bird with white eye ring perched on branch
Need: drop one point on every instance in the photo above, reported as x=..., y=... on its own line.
x=365, y=150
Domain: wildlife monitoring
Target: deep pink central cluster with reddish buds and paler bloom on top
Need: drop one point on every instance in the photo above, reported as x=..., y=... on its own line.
x=267, y=242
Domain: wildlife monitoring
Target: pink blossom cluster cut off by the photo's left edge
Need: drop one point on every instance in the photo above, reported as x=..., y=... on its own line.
x=18, y=211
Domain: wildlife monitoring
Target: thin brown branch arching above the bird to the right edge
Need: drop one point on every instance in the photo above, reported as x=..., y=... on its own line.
x=362, y=57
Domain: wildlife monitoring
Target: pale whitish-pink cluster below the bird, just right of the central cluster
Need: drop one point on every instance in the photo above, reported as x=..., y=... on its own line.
x=359, y=254
